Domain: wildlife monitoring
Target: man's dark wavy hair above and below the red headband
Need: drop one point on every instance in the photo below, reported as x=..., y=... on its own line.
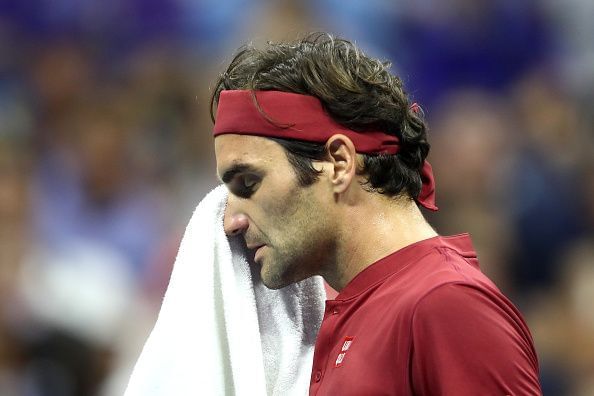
x=357, y=91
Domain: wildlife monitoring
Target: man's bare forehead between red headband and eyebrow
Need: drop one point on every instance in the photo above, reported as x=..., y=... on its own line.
x=231, y=150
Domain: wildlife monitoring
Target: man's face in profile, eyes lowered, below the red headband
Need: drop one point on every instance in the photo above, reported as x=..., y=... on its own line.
x=288, y=226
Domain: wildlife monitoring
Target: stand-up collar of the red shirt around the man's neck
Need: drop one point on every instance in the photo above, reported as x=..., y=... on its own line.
x=401, y=258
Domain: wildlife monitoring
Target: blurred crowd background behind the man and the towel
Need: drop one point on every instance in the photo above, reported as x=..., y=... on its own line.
x=106, y=148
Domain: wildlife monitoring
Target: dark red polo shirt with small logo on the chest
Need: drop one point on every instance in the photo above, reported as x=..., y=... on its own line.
x=424, y=321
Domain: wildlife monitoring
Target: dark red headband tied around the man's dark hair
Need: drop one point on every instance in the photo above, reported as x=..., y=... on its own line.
x=302, y=117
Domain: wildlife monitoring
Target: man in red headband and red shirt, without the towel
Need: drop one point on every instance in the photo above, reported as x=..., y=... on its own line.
x=325, y=161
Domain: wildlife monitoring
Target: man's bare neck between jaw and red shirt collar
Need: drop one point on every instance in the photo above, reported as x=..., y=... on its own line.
x=374, y=230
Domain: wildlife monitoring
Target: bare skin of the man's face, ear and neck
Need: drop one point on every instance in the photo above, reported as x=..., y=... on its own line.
x=332, y=228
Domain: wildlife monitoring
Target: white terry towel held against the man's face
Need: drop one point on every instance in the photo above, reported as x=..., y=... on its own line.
x=220, y=331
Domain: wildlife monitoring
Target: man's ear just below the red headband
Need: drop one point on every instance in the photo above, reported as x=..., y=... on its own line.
x=343, y=160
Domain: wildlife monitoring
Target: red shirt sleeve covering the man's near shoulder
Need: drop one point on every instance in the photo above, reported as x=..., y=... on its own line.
x=472, y=338
